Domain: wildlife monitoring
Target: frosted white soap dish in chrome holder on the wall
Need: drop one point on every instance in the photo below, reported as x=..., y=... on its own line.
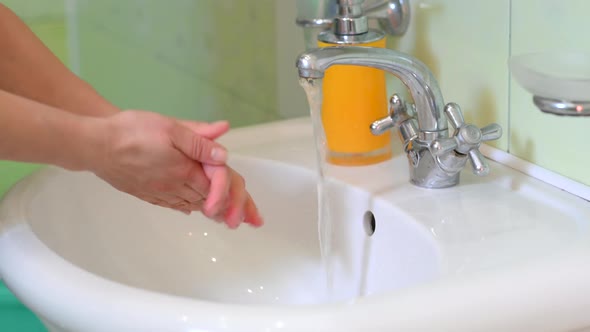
x=559, y=81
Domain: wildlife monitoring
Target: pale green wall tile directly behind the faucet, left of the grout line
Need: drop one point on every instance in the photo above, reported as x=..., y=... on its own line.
x=465, y=44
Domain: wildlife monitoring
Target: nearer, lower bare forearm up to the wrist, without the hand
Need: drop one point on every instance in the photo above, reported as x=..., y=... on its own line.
x=35, y=132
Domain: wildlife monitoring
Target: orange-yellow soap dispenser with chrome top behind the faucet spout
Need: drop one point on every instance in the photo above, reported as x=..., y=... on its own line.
x=353, y=96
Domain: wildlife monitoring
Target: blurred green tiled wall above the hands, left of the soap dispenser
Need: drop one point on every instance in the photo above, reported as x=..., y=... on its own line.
x=203, y=60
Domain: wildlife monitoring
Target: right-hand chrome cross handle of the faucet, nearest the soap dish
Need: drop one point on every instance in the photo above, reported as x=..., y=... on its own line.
x=466, y=140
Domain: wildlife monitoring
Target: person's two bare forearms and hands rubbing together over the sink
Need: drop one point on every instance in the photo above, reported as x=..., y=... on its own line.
x=49, y=115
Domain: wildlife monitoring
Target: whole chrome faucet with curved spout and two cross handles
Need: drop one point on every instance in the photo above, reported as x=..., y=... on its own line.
x=436, y=159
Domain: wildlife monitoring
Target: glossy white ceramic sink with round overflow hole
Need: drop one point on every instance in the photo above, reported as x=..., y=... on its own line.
x=505, y=252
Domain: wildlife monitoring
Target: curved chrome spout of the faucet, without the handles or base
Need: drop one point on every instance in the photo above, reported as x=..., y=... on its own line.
x=432, y=122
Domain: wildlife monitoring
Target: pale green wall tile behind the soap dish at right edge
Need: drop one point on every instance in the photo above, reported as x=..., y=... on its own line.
x=556, y=143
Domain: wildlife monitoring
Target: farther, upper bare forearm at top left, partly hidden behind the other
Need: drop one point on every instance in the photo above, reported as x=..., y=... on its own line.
x=29, y=69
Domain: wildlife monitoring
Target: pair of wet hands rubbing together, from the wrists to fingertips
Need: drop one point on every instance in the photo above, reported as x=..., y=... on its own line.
x=174, y=164
